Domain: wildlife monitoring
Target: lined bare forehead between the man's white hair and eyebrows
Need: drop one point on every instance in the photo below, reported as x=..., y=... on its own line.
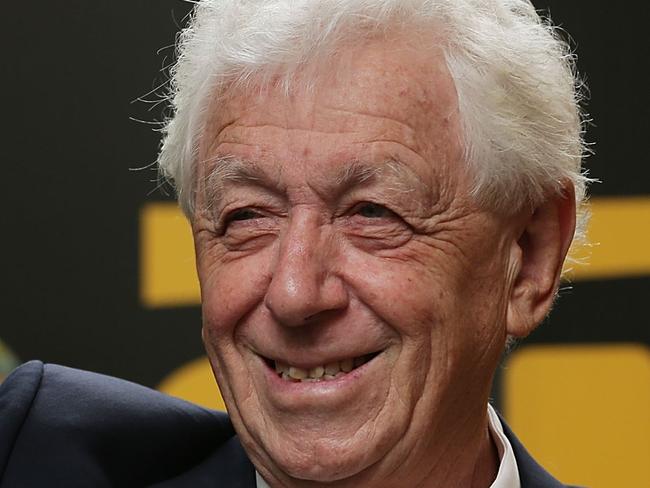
x=382, y=90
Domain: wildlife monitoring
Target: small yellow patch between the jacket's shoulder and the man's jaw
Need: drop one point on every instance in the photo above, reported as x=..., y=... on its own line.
x=195, y=383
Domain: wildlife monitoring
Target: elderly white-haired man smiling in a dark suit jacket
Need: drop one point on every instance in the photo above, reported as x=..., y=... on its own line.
x=382, y=194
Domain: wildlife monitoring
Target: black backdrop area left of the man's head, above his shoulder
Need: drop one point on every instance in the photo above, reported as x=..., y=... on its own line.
x=71, y=198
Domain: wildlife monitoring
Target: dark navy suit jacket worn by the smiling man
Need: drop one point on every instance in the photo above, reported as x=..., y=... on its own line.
x=61, y=427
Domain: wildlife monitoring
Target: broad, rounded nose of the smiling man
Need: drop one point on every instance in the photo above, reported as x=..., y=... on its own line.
x=305, y=284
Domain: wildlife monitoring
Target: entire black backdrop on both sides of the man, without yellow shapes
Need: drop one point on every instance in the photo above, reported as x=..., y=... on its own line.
x=70, y=74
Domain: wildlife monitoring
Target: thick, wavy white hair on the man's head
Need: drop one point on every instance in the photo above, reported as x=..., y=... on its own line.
x=518, y=94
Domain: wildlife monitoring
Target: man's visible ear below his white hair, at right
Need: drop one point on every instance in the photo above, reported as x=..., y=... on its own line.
x=536, y=261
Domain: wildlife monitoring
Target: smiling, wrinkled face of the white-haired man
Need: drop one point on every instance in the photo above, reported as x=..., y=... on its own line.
x=354, y=298
